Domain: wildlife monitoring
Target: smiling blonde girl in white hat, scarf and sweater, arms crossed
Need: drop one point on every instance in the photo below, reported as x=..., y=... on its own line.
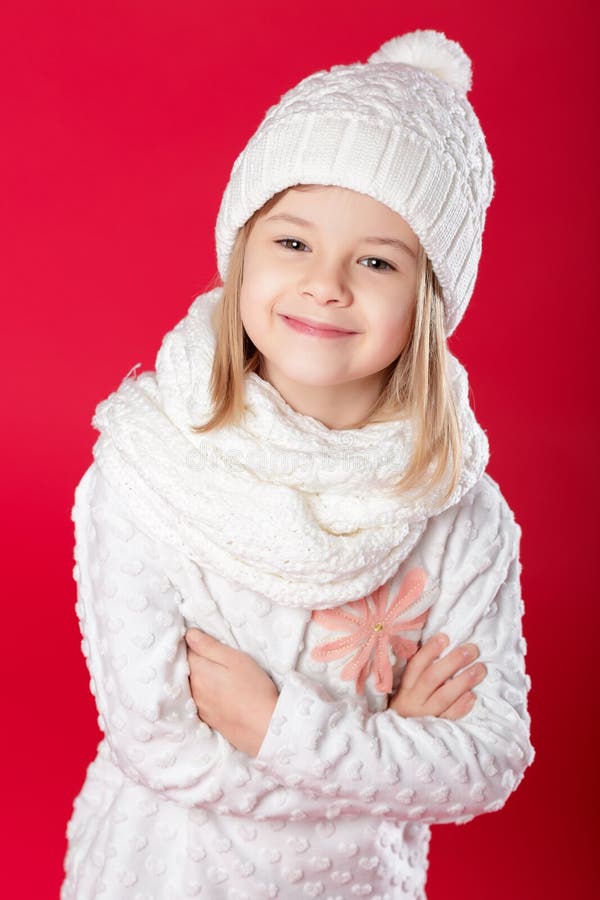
x=288, y=551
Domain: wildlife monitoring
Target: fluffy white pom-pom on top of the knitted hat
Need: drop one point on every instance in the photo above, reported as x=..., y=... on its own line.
x=431, y=51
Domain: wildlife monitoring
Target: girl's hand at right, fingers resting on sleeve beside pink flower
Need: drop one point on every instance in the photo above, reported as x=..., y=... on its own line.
x=427, y=689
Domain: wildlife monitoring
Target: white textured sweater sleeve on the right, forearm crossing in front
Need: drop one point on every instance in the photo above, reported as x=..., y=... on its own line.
x=425, y=768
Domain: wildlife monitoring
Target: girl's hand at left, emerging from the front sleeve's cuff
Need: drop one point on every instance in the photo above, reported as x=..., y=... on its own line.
x=233, y=694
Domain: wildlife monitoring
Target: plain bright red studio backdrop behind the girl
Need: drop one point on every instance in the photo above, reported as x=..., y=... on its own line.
x=121, y=121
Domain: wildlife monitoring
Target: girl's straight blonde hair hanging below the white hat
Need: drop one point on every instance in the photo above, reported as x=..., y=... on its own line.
x=417, y=385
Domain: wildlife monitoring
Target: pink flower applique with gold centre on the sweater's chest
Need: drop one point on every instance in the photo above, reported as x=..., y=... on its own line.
x=372, y=630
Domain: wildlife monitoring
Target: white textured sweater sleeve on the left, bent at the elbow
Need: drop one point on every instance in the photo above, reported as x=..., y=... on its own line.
x=133, y=641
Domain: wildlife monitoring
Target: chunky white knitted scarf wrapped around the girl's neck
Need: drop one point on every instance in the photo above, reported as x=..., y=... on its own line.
x=280, y=503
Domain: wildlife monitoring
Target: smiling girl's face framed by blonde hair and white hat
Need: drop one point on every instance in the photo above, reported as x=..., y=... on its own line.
x=334, y=257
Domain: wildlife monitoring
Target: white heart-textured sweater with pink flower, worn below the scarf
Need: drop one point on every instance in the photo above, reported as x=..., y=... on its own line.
x=339, y=800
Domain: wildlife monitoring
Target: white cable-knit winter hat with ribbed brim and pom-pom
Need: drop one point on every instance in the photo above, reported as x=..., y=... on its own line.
x=398, y=128
